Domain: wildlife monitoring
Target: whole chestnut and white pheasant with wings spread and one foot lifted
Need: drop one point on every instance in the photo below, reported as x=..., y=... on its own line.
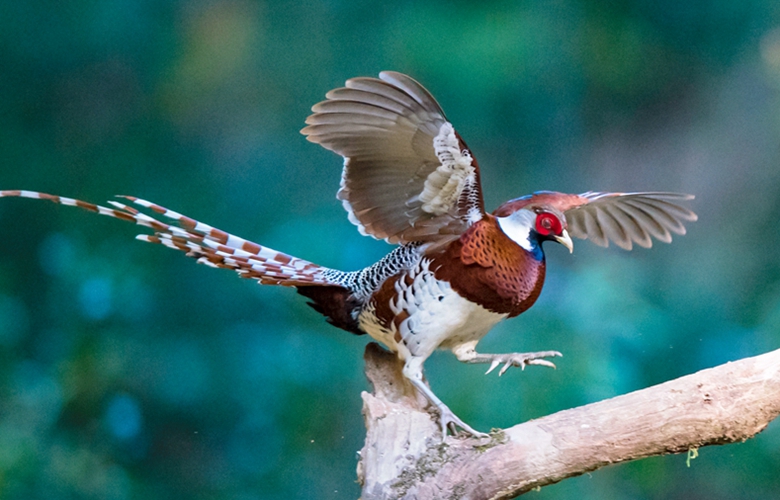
x=455, y=270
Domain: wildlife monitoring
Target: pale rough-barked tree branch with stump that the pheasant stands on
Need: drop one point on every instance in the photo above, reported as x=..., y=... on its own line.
x=405, y=457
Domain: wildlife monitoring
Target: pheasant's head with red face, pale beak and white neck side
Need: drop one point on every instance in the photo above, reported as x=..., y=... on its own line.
x=531, y=224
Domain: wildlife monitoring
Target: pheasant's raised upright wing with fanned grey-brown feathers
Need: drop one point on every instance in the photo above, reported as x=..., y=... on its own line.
x=408, y=176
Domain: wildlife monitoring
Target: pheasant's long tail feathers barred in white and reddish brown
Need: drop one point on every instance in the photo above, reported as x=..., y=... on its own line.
x=205, y=243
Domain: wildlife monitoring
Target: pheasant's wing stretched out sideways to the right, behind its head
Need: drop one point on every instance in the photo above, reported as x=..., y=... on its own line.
x=623, y=218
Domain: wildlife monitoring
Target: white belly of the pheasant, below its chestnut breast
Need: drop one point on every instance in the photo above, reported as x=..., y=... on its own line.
x=437, y=317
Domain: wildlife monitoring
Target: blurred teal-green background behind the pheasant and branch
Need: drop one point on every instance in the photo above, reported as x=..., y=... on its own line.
x=129, y=372
